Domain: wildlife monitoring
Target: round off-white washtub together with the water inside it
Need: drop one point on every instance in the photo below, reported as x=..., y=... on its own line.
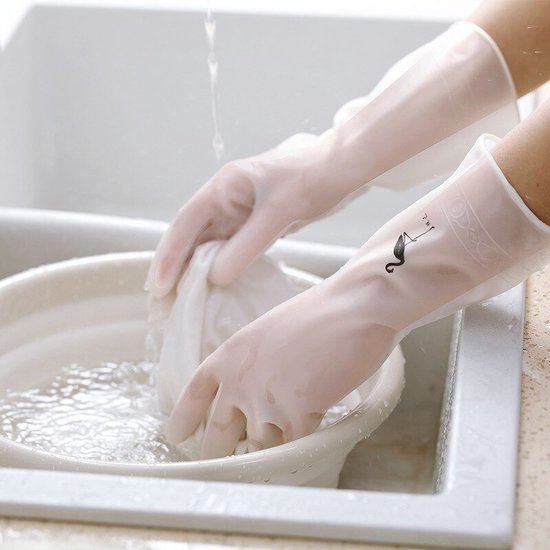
x=77, y=385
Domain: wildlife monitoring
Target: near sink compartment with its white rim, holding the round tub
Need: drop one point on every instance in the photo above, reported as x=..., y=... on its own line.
x=440, y=471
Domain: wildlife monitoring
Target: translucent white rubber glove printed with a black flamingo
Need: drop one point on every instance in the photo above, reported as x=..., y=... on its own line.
x=468, y=240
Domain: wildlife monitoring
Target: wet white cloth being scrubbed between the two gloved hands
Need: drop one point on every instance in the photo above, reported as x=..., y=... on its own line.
x=204, y=316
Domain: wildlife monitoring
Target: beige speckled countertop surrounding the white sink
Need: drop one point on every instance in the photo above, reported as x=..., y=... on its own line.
x=533, y=495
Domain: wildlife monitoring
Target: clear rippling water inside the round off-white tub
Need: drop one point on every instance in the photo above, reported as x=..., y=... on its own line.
x=107, y=412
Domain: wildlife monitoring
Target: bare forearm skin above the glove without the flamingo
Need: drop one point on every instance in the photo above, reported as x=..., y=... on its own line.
x=521, y=29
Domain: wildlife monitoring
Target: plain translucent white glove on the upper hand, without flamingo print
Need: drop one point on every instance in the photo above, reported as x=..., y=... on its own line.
x=416, y=125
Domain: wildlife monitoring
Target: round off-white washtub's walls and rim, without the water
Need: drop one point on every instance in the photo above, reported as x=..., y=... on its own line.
x=92, y=310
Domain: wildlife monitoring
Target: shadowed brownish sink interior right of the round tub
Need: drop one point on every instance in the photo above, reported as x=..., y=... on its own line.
x=401, y=455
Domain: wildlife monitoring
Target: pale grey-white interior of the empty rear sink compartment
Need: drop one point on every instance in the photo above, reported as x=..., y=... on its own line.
x=109, y=110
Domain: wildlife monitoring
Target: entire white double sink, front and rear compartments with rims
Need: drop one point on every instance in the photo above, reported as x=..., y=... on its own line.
x=107, y=122
